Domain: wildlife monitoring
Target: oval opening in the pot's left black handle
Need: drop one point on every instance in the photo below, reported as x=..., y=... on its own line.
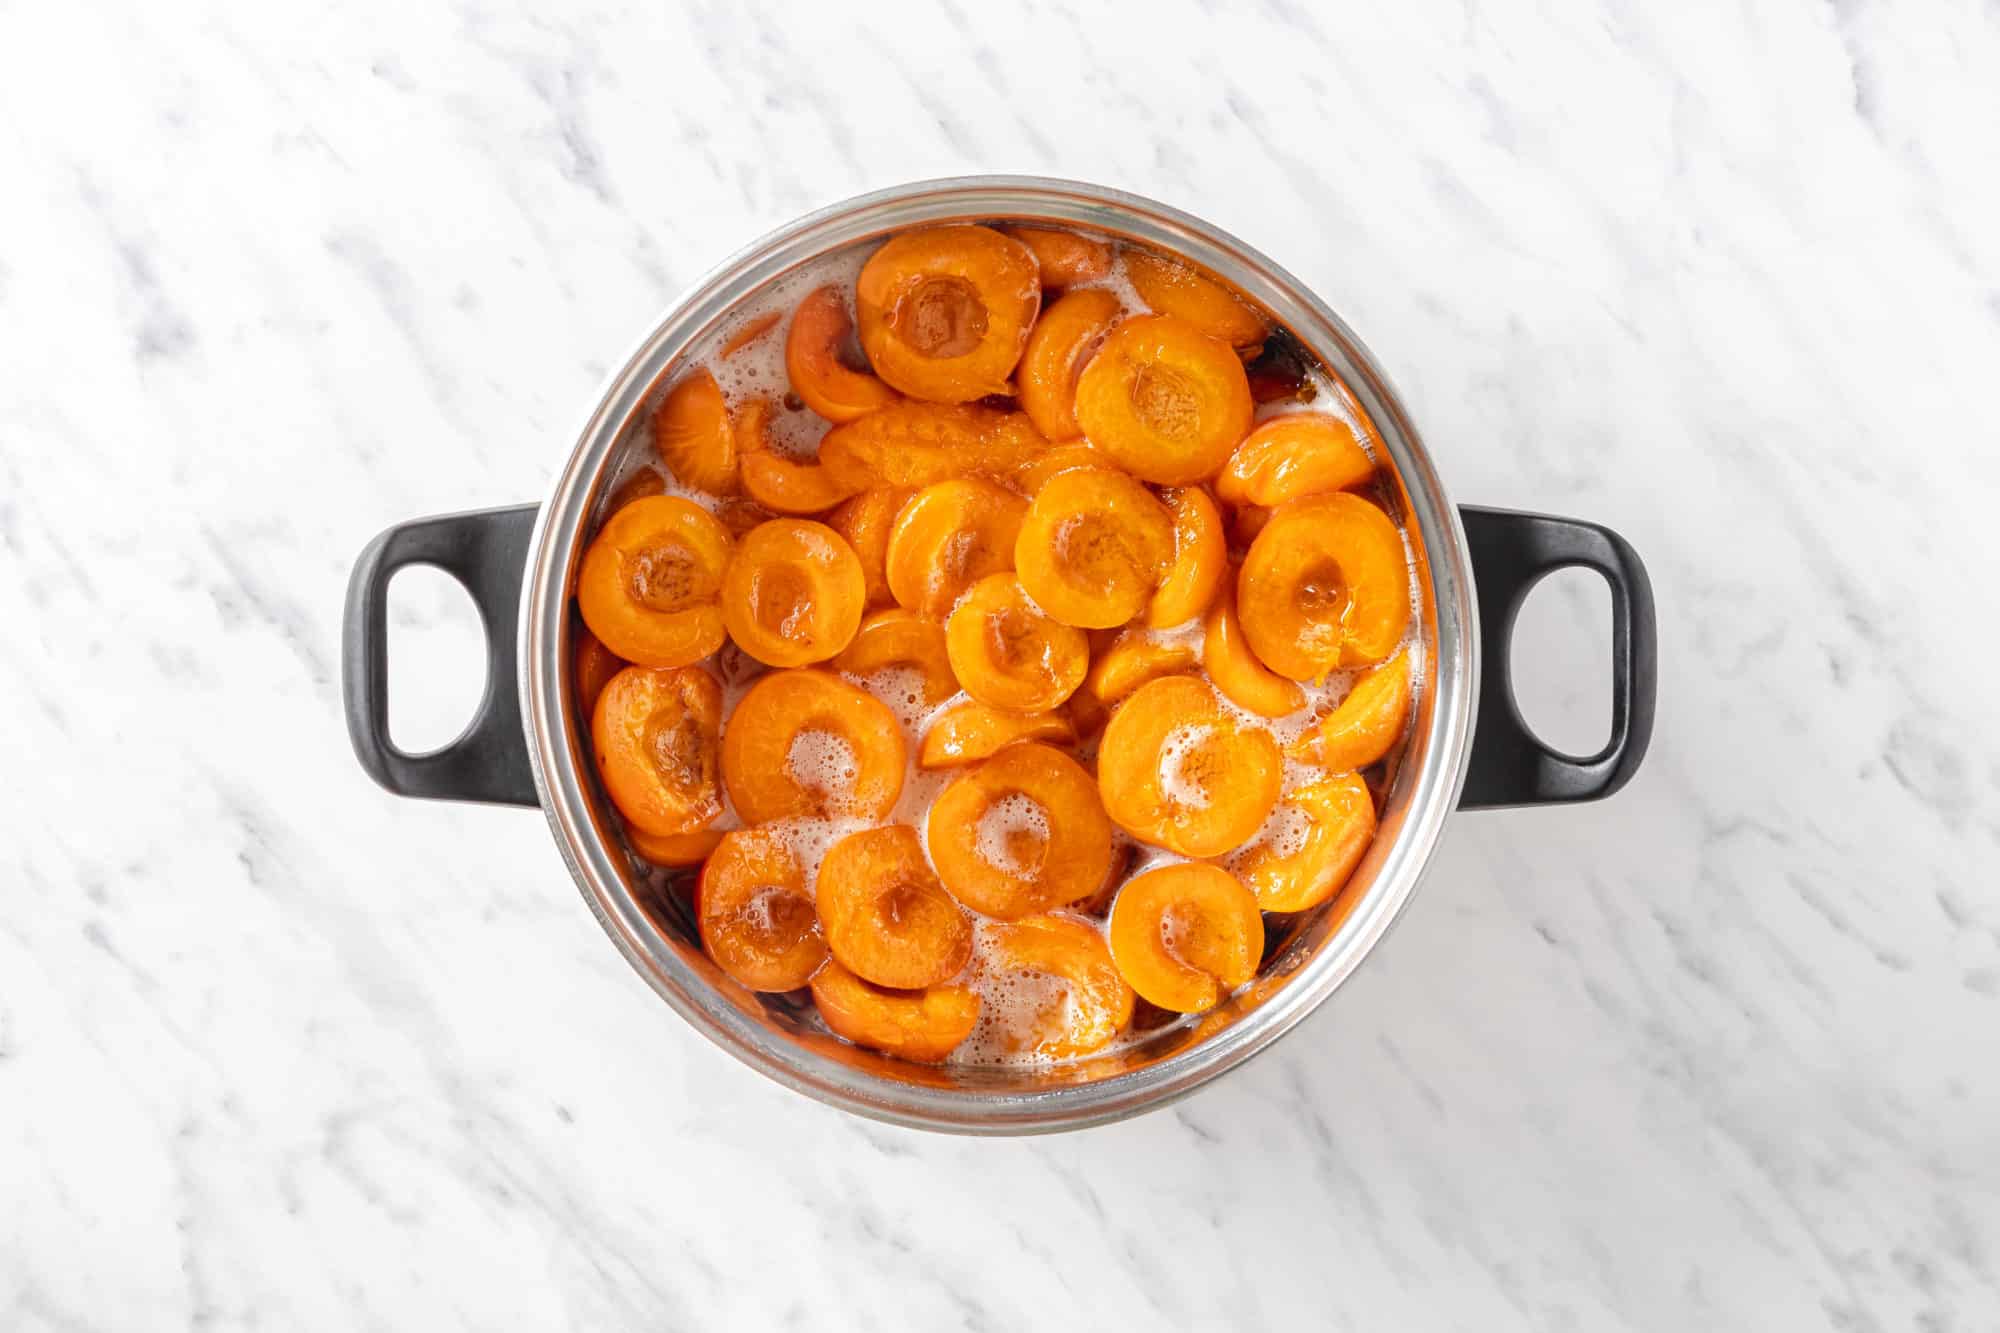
x=437, y=659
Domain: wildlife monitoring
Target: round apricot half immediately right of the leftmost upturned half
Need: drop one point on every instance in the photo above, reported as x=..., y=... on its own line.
x=795, y=593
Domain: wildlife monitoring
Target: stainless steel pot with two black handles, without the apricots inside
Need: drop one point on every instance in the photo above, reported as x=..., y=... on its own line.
x=1467, y=750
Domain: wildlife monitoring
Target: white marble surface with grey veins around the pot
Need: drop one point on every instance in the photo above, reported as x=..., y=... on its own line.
x=283, y=1052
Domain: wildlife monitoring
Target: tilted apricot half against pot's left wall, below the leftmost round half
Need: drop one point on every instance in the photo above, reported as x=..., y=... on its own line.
x=655, y=732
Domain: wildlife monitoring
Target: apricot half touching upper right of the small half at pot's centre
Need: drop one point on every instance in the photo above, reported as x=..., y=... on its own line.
x=1093, y=547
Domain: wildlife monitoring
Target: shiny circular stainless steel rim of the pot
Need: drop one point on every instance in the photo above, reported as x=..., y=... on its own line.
x=1433, y=796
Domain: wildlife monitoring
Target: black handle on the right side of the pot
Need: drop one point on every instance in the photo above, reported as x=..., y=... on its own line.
x=1511, y=553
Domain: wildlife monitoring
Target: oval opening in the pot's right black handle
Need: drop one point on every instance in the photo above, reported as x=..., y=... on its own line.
x=1563, y=657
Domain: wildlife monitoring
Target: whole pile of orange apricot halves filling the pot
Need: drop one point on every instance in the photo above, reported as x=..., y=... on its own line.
x=1067, y=523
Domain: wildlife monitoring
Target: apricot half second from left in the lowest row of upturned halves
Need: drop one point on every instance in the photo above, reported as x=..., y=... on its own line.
x=885, y=914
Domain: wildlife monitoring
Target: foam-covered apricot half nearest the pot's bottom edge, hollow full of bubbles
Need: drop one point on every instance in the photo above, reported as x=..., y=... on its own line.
x=1091, y=1002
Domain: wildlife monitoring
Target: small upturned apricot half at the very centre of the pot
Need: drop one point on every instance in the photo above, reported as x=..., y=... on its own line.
x=1009, y=653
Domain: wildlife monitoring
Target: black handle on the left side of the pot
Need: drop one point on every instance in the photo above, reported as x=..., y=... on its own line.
x=487, y=551
